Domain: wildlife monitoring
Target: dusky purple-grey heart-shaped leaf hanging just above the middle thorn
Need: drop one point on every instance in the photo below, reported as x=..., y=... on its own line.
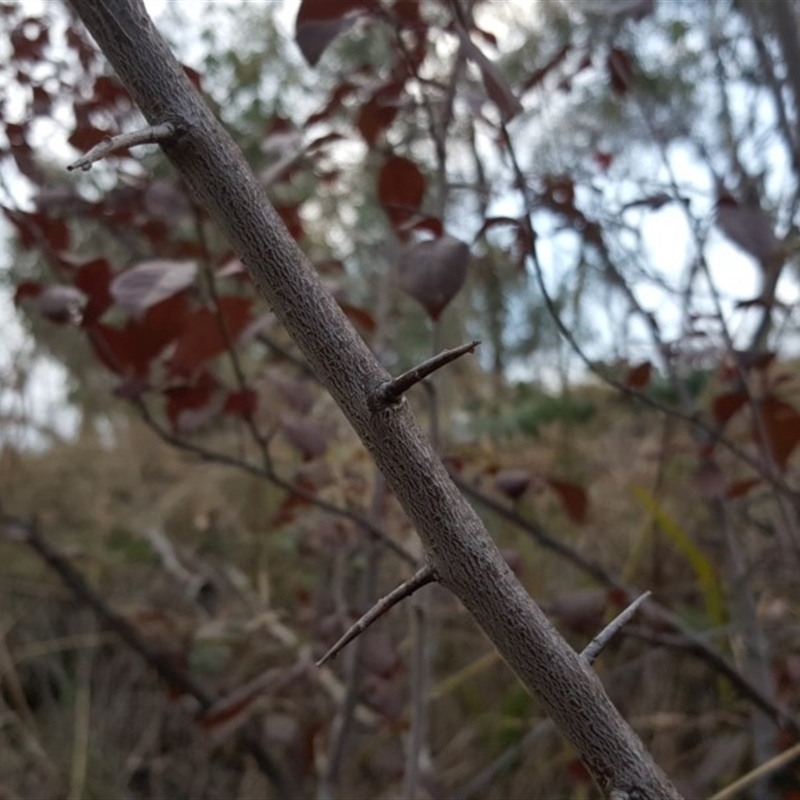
x=433, y=272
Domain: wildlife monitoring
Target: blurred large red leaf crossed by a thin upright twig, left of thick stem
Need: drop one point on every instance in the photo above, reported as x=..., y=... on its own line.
x=202, y=339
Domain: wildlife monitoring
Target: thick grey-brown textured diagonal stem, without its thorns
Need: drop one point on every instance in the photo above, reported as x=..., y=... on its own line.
x=458, y=547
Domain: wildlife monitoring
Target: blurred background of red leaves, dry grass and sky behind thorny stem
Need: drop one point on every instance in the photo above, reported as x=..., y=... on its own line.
x=604, y=193
